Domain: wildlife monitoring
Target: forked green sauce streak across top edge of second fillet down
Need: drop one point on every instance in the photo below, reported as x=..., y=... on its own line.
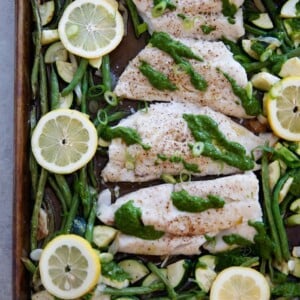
x=180, y=53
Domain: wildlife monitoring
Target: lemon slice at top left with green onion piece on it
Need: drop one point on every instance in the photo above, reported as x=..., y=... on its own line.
x=91, y=28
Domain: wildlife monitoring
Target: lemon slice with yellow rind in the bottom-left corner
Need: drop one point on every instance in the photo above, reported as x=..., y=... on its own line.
x=69, y=267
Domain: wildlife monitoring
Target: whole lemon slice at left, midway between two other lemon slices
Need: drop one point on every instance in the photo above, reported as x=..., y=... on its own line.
x=64, y=140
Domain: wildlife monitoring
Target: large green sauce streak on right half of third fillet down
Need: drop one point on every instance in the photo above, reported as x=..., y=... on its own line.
x=216, y=146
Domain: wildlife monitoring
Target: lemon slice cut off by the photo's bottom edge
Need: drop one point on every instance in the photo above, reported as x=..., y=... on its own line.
x=236, y=283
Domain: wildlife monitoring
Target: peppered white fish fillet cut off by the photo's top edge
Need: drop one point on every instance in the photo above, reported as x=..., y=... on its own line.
x=189, y=17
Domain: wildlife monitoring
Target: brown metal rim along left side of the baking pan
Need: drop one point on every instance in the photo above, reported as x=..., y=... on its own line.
x=22, y=207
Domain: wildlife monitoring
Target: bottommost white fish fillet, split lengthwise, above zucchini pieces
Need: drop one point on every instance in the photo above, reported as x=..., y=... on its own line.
x=184, y=231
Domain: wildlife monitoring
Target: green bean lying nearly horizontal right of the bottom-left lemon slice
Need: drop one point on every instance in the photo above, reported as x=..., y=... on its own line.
x=132, y=291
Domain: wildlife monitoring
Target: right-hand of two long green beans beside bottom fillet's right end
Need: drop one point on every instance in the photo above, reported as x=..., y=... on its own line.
x=278, y=219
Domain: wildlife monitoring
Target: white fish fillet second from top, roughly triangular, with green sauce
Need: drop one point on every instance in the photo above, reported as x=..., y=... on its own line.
x=132, y=84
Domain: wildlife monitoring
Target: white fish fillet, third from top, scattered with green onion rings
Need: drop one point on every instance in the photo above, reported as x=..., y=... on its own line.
x=164, y=129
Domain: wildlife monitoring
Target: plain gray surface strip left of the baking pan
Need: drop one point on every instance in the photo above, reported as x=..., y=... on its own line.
x=6, y=144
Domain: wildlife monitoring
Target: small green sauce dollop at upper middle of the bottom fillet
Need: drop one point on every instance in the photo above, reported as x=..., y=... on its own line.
x=183, y=201
